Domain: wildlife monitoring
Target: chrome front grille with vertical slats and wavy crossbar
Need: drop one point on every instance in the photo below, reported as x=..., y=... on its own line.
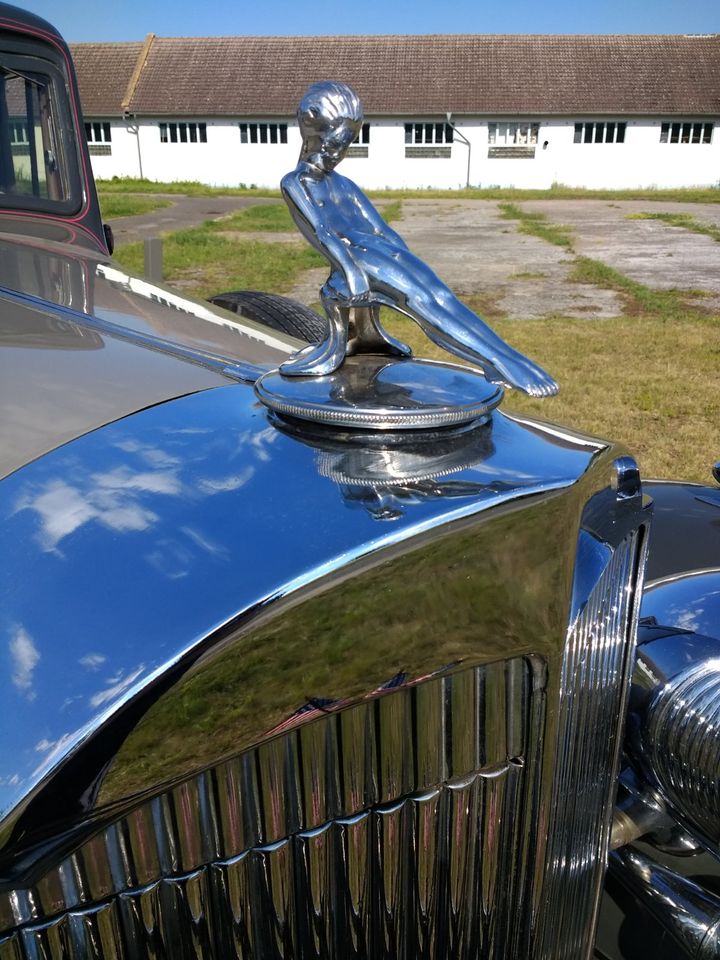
x=398, y=827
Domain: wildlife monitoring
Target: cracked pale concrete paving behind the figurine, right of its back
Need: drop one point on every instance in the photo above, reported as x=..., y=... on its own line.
x=476, y=251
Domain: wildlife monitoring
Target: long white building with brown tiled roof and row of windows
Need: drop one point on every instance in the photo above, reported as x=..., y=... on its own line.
x=441, y=111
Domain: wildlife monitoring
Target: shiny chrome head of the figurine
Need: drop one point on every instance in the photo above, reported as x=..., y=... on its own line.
x=330, y=117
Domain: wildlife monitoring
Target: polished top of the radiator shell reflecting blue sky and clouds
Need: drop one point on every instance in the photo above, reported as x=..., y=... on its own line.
x=135, y=544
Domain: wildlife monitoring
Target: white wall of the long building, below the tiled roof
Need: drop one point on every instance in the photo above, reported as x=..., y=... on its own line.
x=641, y=161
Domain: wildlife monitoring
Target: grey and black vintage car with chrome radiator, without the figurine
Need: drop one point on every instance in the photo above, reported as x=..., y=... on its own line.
x=274, y=691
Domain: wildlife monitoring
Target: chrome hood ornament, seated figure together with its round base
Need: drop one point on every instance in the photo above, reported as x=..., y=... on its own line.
x=371, y=266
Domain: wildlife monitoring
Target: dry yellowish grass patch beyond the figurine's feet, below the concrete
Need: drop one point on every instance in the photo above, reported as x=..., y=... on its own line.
x=646, y=380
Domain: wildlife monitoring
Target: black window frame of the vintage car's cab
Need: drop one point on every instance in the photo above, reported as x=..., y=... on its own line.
x=27, y=57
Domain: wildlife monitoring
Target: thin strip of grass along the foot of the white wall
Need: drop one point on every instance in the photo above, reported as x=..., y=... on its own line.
x=556, y=192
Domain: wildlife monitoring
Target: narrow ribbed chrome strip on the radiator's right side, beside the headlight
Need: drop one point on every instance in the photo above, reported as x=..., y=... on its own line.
x=592, y=699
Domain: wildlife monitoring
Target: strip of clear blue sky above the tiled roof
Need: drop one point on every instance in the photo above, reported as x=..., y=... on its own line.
x=80, y=20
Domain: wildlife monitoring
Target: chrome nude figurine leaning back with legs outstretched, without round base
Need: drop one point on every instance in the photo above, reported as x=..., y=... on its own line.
x=371, y=264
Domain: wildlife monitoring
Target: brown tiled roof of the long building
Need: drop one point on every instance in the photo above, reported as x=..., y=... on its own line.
x=412, y=75
